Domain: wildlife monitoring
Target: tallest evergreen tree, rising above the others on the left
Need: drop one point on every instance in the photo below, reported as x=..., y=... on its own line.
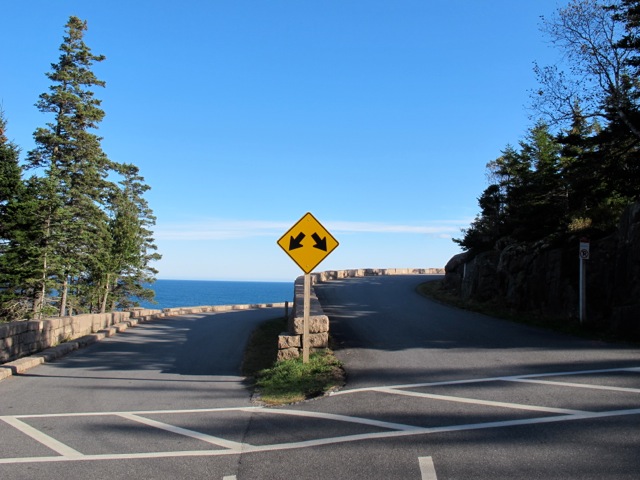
x=75, y=167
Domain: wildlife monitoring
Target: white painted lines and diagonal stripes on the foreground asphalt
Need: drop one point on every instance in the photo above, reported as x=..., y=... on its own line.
x=386, y=429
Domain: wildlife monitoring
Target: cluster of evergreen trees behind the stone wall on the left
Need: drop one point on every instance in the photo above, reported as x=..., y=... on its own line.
x=72, y=235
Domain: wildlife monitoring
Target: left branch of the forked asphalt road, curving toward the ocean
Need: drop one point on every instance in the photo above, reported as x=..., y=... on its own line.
x=191, y=361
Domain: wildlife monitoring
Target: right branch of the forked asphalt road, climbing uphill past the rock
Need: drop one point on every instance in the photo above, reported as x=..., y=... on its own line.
x=390, y=334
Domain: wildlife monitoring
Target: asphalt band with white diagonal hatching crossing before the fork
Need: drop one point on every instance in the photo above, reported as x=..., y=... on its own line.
x=222, y=431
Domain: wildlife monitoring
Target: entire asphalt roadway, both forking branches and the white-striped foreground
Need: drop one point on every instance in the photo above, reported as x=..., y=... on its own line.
x=432, y=393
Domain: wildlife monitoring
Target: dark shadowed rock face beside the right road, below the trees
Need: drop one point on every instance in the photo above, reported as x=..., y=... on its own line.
x=544, y=280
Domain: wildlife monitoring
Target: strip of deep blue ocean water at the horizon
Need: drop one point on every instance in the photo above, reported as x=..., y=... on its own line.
x=191, y=293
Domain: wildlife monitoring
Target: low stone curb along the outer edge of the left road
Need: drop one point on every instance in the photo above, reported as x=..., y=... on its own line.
x=21, y=365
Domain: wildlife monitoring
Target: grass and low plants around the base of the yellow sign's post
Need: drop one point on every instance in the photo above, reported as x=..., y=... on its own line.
x=287, y=381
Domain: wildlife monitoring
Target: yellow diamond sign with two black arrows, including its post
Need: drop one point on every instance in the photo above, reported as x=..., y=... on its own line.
x=307, y=243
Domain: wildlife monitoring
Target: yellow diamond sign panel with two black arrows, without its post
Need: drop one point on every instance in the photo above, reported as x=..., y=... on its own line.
x=307, y=243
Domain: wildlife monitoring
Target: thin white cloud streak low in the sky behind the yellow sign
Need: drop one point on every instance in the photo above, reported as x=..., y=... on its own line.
x=218, y=229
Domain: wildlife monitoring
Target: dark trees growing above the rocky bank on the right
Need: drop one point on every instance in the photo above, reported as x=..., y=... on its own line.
x=578, y=167
